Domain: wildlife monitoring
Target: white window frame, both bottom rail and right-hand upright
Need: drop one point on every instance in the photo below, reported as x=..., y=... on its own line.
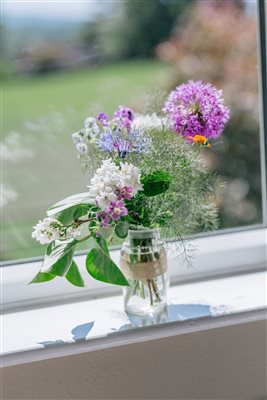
x=237, y=250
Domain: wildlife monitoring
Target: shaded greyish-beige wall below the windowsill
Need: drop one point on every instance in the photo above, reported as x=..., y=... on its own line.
x=222, y=363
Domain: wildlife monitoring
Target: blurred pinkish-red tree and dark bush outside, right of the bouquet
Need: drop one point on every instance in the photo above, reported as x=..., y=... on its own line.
x=217, y=43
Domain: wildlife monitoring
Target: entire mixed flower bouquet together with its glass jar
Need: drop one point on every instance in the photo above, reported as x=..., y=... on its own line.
x=149, y=179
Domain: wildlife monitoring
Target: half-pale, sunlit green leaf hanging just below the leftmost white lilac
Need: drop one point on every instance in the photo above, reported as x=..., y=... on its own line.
x=58, y=258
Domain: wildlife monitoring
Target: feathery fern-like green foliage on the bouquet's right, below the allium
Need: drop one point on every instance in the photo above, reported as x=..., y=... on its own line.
x=188, y=205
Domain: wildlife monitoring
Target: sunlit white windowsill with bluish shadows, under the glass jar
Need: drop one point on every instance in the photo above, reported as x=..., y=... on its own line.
x=52, y=332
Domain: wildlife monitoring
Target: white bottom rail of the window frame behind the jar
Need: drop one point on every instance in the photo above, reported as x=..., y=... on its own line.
x=219, y=254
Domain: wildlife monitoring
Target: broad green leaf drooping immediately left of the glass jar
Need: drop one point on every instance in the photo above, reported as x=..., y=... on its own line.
x=100, y=266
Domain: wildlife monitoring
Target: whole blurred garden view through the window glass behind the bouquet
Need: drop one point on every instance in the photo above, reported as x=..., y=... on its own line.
x=64, y=61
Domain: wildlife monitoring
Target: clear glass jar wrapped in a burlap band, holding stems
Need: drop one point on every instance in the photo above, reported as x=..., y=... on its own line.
x=143, y=261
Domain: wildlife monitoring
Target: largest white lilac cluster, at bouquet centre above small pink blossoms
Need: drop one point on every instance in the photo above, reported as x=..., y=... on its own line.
x=111, y=180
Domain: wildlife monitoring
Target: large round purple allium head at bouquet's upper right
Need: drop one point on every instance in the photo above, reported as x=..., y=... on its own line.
x=196, y=108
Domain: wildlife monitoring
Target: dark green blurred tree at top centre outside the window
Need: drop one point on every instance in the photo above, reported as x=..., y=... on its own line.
x=141, y=26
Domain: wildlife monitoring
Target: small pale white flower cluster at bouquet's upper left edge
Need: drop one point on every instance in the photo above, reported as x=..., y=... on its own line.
x=83, y=138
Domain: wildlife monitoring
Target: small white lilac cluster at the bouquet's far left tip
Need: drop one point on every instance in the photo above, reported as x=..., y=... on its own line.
x=50, y=229
